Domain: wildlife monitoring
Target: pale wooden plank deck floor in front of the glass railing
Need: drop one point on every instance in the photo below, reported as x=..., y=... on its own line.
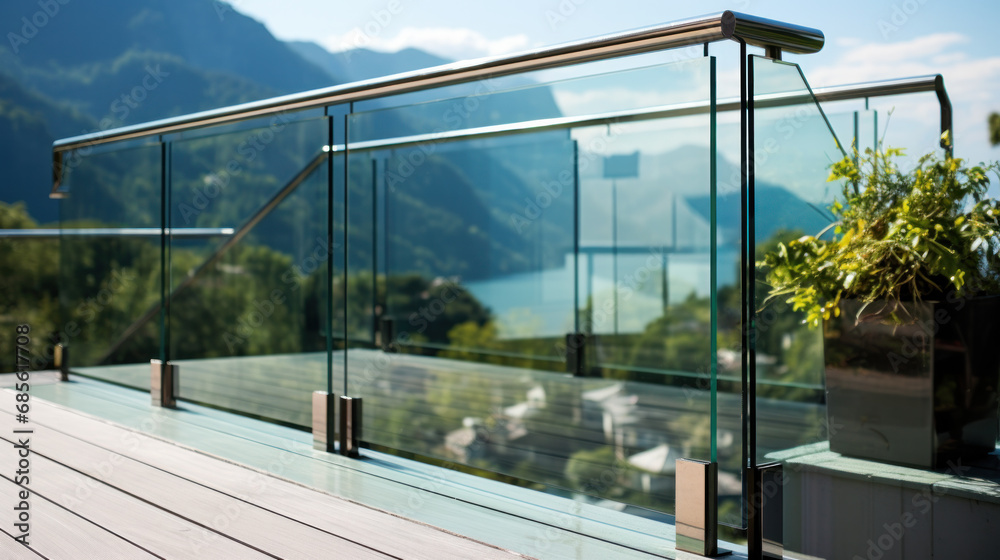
x=113, y=482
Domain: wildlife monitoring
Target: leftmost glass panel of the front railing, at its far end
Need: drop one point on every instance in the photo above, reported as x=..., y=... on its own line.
x=110, y=264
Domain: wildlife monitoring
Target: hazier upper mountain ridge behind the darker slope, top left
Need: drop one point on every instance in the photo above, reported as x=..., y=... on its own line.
x=209, y=35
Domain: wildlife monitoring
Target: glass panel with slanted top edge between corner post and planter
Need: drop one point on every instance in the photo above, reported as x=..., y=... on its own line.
x=794, y=147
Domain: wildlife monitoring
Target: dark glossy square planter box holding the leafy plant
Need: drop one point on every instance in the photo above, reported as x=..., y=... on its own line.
x=918, y=392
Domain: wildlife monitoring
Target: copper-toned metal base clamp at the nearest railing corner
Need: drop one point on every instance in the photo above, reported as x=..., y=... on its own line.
x=697, y=506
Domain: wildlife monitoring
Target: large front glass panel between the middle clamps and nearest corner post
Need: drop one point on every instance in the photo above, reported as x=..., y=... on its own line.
x=473, y=248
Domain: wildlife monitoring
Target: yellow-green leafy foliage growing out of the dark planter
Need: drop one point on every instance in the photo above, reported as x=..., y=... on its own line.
x=900, y=236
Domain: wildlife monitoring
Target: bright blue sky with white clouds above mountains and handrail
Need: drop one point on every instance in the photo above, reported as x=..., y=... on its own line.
x=865, y=40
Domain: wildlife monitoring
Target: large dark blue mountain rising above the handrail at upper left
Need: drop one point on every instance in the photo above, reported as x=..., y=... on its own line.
x=78, y=68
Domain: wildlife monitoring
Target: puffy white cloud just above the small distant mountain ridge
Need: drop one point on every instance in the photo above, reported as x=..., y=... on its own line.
x=456, y=43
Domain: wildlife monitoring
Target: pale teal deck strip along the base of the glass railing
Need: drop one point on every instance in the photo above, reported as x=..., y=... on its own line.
x=518, y=519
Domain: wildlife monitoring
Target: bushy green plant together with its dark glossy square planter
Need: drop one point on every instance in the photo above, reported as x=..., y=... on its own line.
x=905, y=285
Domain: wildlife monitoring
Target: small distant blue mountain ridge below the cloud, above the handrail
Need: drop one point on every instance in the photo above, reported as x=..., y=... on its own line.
x=363, y=64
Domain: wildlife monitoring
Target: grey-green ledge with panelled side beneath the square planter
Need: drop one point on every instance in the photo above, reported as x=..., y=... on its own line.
x=840, y=507
